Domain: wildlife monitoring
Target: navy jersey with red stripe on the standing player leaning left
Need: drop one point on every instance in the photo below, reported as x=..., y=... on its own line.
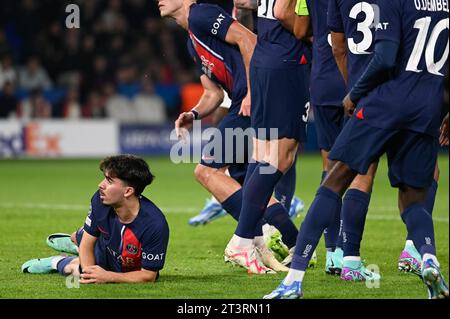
x=214, y=57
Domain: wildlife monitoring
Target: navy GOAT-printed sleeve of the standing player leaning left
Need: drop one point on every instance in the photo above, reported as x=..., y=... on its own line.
x=210, y=19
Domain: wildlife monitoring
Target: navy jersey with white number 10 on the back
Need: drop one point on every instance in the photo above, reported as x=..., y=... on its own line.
x=412, y=98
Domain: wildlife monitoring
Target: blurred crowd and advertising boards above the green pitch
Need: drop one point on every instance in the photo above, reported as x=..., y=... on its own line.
x=125, y=72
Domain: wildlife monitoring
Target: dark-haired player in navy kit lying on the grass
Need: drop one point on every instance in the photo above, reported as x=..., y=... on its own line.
x=125, y=236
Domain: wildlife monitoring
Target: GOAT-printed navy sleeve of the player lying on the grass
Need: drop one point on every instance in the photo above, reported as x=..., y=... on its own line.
x=154, y=247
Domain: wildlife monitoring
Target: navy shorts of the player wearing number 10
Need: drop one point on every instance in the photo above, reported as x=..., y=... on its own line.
x=411, y=156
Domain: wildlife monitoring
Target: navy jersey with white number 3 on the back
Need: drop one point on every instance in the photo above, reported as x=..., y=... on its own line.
x=357, y=19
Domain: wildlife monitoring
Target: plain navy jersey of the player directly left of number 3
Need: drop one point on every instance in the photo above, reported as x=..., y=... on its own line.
x=327, y=85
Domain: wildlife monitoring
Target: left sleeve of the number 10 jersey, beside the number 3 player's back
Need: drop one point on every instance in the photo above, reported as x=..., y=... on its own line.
x=390, y=16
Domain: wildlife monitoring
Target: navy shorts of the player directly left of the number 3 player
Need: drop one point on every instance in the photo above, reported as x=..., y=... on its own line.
x=329, y=122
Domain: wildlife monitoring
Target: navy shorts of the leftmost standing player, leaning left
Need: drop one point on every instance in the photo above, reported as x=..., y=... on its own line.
x=235, y=149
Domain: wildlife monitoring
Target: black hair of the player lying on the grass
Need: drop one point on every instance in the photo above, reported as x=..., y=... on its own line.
x=131, y=169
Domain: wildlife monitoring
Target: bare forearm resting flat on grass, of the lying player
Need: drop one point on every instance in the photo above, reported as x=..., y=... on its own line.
x=98, y=275
